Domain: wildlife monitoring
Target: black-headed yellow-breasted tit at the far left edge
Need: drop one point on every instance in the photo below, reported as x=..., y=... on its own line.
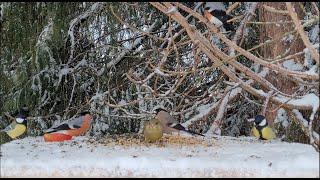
x=17, y=128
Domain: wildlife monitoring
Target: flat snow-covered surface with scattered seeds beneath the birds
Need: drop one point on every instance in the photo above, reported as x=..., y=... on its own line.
x=224, y=157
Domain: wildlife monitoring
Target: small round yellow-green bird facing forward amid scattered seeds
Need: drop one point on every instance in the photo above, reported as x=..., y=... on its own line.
x=152, y=130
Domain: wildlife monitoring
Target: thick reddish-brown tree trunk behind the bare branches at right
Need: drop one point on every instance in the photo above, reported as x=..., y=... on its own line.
x=279, y=48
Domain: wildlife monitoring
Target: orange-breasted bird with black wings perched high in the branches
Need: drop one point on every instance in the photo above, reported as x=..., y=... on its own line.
x=217, y=15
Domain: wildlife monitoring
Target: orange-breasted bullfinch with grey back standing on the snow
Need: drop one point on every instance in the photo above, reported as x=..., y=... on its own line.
x=73, y=127
